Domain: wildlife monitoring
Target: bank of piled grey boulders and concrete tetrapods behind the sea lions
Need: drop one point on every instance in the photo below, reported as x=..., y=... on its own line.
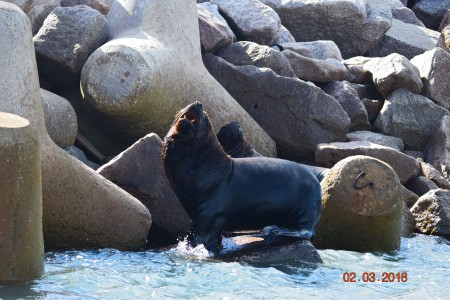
x=348, y=85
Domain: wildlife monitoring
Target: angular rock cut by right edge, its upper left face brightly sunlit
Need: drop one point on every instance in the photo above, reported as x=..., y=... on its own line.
x=434, y=67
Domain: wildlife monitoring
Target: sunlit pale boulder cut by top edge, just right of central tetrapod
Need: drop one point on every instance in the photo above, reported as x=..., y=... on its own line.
x=251, y=20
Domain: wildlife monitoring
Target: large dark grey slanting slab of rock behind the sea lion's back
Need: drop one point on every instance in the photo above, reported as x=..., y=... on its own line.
x=297, y=115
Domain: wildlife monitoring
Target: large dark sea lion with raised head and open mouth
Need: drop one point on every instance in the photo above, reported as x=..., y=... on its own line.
x=218, y=191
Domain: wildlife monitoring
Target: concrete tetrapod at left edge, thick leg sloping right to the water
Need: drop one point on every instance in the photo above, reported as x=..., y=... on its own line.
x=81, y=209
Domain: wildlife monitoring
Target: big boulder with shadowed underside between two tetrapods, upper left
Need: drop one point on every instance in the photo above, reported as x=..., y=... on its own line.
x=65, y=41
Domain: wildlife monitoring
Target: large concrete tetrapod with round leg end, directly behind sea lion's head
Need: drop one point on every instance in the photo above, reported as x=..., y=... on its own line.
x=151, y=68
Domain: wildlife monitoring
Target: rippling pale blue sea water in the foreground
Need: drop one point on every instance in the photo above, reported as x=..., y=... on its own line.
x=178, y=274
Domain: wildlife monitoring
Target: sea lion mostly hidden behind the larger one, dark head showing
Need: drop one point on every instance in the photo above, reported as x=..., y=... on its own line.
x=231, y=137
